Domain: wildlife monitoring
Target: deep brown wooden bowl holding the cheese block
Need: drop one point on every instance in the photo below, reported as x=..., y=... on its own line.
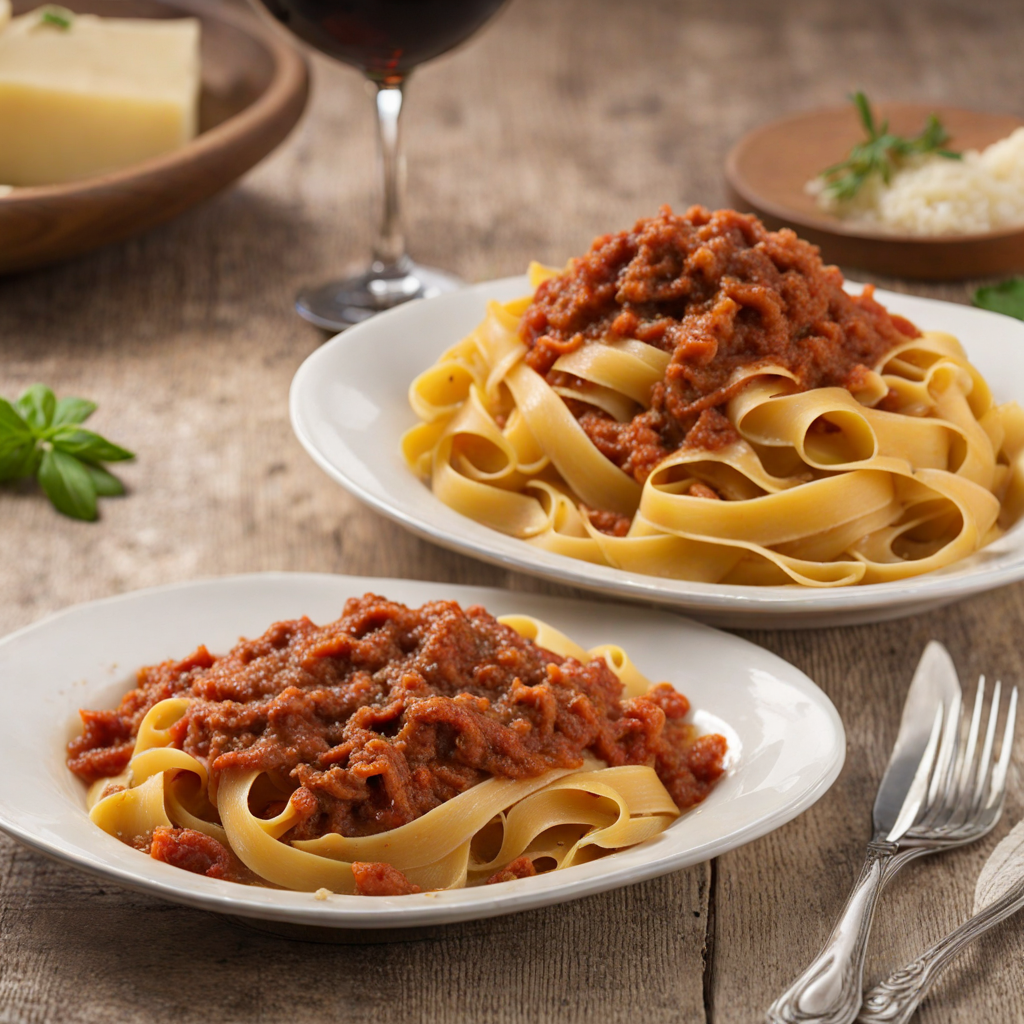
x=254, y=91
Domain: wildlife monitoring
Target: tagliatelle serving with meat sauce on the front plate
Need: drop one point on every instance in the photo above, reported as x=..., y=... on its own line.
x=229, y=806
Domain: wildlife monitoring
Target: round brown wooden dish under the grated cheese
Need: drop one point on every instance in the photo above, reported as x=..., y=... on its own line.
x=769, y=168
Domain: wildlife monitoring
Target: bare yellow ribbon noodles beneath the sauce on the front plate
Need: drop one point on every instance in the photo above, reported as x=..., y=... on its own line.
x=550, y=822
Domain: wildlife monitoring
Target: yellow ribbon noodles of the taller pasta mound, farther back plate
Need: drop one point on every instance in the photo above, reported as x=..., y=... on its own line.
x=913, y=468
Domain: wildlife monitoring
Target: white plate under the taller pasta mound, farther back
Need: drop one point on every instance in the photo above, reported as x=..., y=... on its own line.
x=350, y=410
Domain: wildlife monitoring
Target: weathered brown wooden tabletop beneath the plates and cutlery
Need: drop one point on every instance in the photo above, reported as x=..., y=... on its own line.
x=561, y=121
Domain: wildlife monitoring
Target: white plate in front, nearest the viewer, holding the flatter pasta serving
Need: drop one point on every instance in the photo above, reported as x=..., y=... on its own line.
x=786, y=739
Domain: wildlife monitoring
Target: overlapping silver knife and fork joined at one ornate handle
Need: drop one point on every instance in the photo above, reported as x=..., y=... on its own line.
x=937, y=793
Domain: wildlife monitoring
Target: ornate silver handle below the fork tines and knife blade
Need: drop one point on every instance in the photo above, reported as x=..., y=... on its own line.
x=830, y=991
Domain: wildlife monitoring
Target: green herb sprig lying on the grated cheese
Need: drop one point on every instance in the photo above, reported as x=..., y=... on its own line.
x=882, y=154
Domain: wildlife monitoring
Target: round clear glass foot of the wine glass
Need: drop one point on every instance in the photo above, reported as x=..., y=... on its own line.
x=345, y=304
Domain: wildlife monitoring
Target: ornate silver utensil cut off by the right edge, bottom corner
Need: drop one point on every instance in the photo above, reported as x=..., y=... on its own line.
x=999, y=895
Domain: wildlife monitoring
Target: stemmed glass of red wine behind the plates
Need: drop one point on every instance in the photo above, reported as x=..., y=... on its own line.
x=386, y=39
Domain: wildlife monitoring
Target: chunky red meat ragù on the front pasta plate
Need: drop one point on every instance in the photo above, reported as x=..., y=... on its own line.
x=387, y=713
